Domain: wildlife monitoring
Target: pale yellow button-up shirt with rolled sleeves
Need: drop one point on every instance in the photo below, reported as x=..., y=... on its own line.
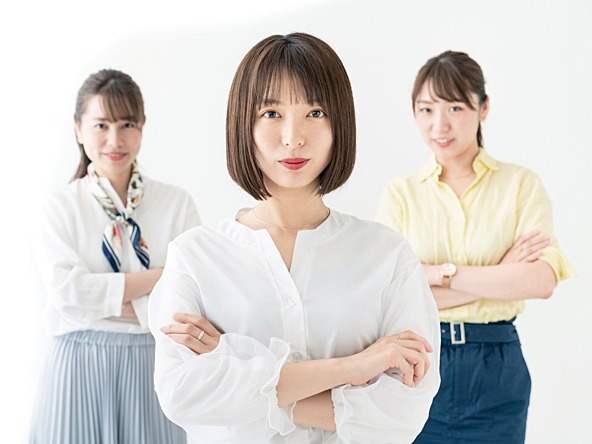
x=504, y=202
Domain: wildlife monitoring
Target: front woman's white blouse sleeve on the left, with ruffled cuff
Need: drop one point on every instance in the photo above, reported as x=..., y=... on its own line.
x=234, y=385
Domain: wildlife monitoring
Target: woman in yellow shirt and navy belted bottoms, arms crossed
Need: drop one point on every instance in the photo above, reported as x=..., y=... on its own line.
x=483, y=232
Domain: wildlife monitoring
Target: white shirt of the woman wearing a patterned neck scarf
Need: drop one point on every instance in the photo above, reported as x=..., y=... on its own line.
x=78, y=286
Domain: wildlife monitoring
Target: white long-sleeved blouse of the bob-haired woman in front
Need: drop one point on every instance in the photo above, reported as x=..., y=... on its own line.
x=350, y=282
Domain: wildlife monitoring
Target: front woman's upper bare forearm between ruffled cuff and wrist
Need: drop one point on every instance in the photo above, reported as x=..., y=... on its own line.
x=302, y=380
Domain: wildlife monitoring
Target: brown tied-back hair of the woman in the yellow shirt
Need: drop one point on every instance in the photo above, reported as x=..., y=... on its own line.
x=453, y=76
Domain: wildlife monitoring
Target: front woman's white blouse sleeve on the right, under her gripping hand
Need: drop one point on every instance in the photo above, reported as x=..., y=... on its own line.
x=386, y=410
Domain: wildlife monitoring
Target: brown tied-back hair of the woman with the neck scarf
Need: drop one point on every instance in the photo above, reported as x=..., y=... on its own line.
x=121, y=100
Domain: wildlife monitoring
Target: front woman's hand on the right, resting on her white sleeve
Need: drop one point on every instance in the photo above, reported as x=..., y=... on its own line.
x=407, y=352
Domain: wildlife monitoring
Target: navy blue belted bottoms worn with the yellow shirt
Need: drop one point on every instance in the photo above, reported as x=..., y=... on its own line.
x=485, y=389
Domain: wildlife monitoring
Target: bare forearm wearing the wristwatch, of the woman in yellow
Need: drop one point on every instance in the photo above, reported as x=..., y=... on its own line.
x=514, y=281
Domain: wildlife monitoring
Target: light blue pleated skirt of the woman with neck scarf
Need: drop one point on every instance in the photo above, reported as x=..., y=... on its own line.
x=98, y=388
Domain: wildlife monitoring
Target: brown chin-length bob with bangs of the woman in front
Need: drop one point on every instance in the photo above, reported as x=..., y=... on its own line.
x=316, y=75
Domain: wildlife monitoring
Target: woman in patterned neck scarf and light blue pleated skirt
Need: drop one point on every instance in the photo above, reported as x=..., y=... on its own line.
x=100, y=250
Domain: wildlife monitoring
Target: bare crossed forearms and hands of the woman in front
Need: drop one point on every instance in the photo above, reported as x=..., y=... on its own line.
x=309, y=383
